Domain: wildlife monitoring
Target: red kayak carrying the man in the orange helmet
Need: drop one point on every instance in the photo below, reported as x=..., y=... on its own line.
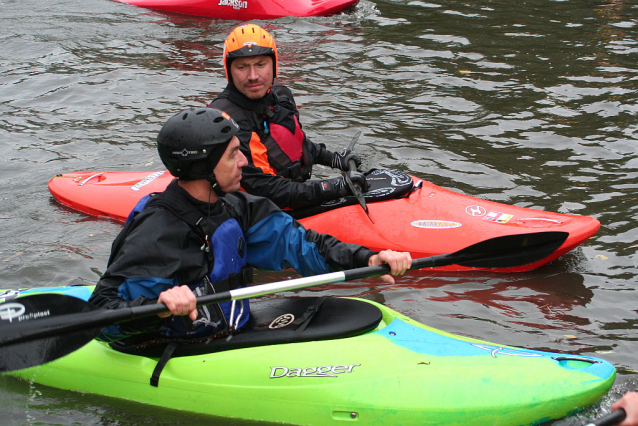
x=405, y=213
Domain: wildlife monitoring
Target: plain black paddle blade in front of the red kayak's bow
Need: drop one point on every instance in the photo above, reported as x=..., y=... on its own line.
x=511, y=250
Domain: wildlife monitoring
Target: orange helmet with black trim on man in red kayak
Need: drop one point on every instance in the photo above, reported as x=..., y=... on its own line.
x=249, y=40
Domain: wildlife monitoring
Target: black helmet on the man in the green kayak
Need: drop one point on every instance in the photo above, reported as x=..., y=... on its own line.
x=191, y=143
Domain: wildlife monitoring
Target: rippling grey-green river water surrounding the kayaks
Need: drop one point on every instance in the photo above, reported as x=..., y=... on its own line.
x=528, y=103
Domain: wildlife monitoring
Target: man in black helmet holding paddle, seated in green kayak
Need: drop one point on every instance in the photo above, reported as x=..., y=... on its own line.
x=201, y=236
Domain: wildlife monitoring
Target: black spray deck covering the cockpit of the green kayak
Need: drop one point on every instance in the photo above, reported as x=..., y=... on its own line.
x=276, y=321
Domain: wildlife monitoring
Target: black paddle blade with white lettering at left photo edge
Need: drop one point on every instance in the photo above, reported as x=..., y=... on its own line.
x=20, y=347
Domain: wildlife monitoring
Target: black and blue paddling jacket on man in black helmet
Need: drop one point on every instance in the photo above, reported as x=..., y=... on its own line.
x=158, y=249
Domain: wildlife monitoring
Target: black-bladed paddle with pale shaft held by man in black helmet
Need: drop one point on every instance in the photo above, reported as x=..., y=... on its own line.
x=43, y=327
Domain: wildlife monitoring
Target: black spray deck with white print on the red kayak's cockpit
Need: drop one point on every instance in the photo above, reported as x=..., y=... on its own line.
x=385, y=184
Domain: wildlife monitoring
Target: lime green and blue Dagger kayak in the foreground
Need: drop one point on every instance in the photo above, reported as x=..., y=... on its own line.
x=331, y=361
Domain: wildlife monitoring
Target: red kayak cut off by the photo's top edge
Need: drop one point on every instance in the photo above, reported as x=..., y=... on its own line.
x=245, y=10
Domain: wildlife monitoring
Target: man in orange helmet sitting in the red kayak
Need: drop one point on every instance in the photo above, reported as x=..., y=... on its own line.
x=280, y=155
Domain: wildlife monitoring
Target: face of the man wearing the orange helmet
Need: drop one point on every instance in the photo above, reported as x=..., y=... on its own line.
x=252, y=76
